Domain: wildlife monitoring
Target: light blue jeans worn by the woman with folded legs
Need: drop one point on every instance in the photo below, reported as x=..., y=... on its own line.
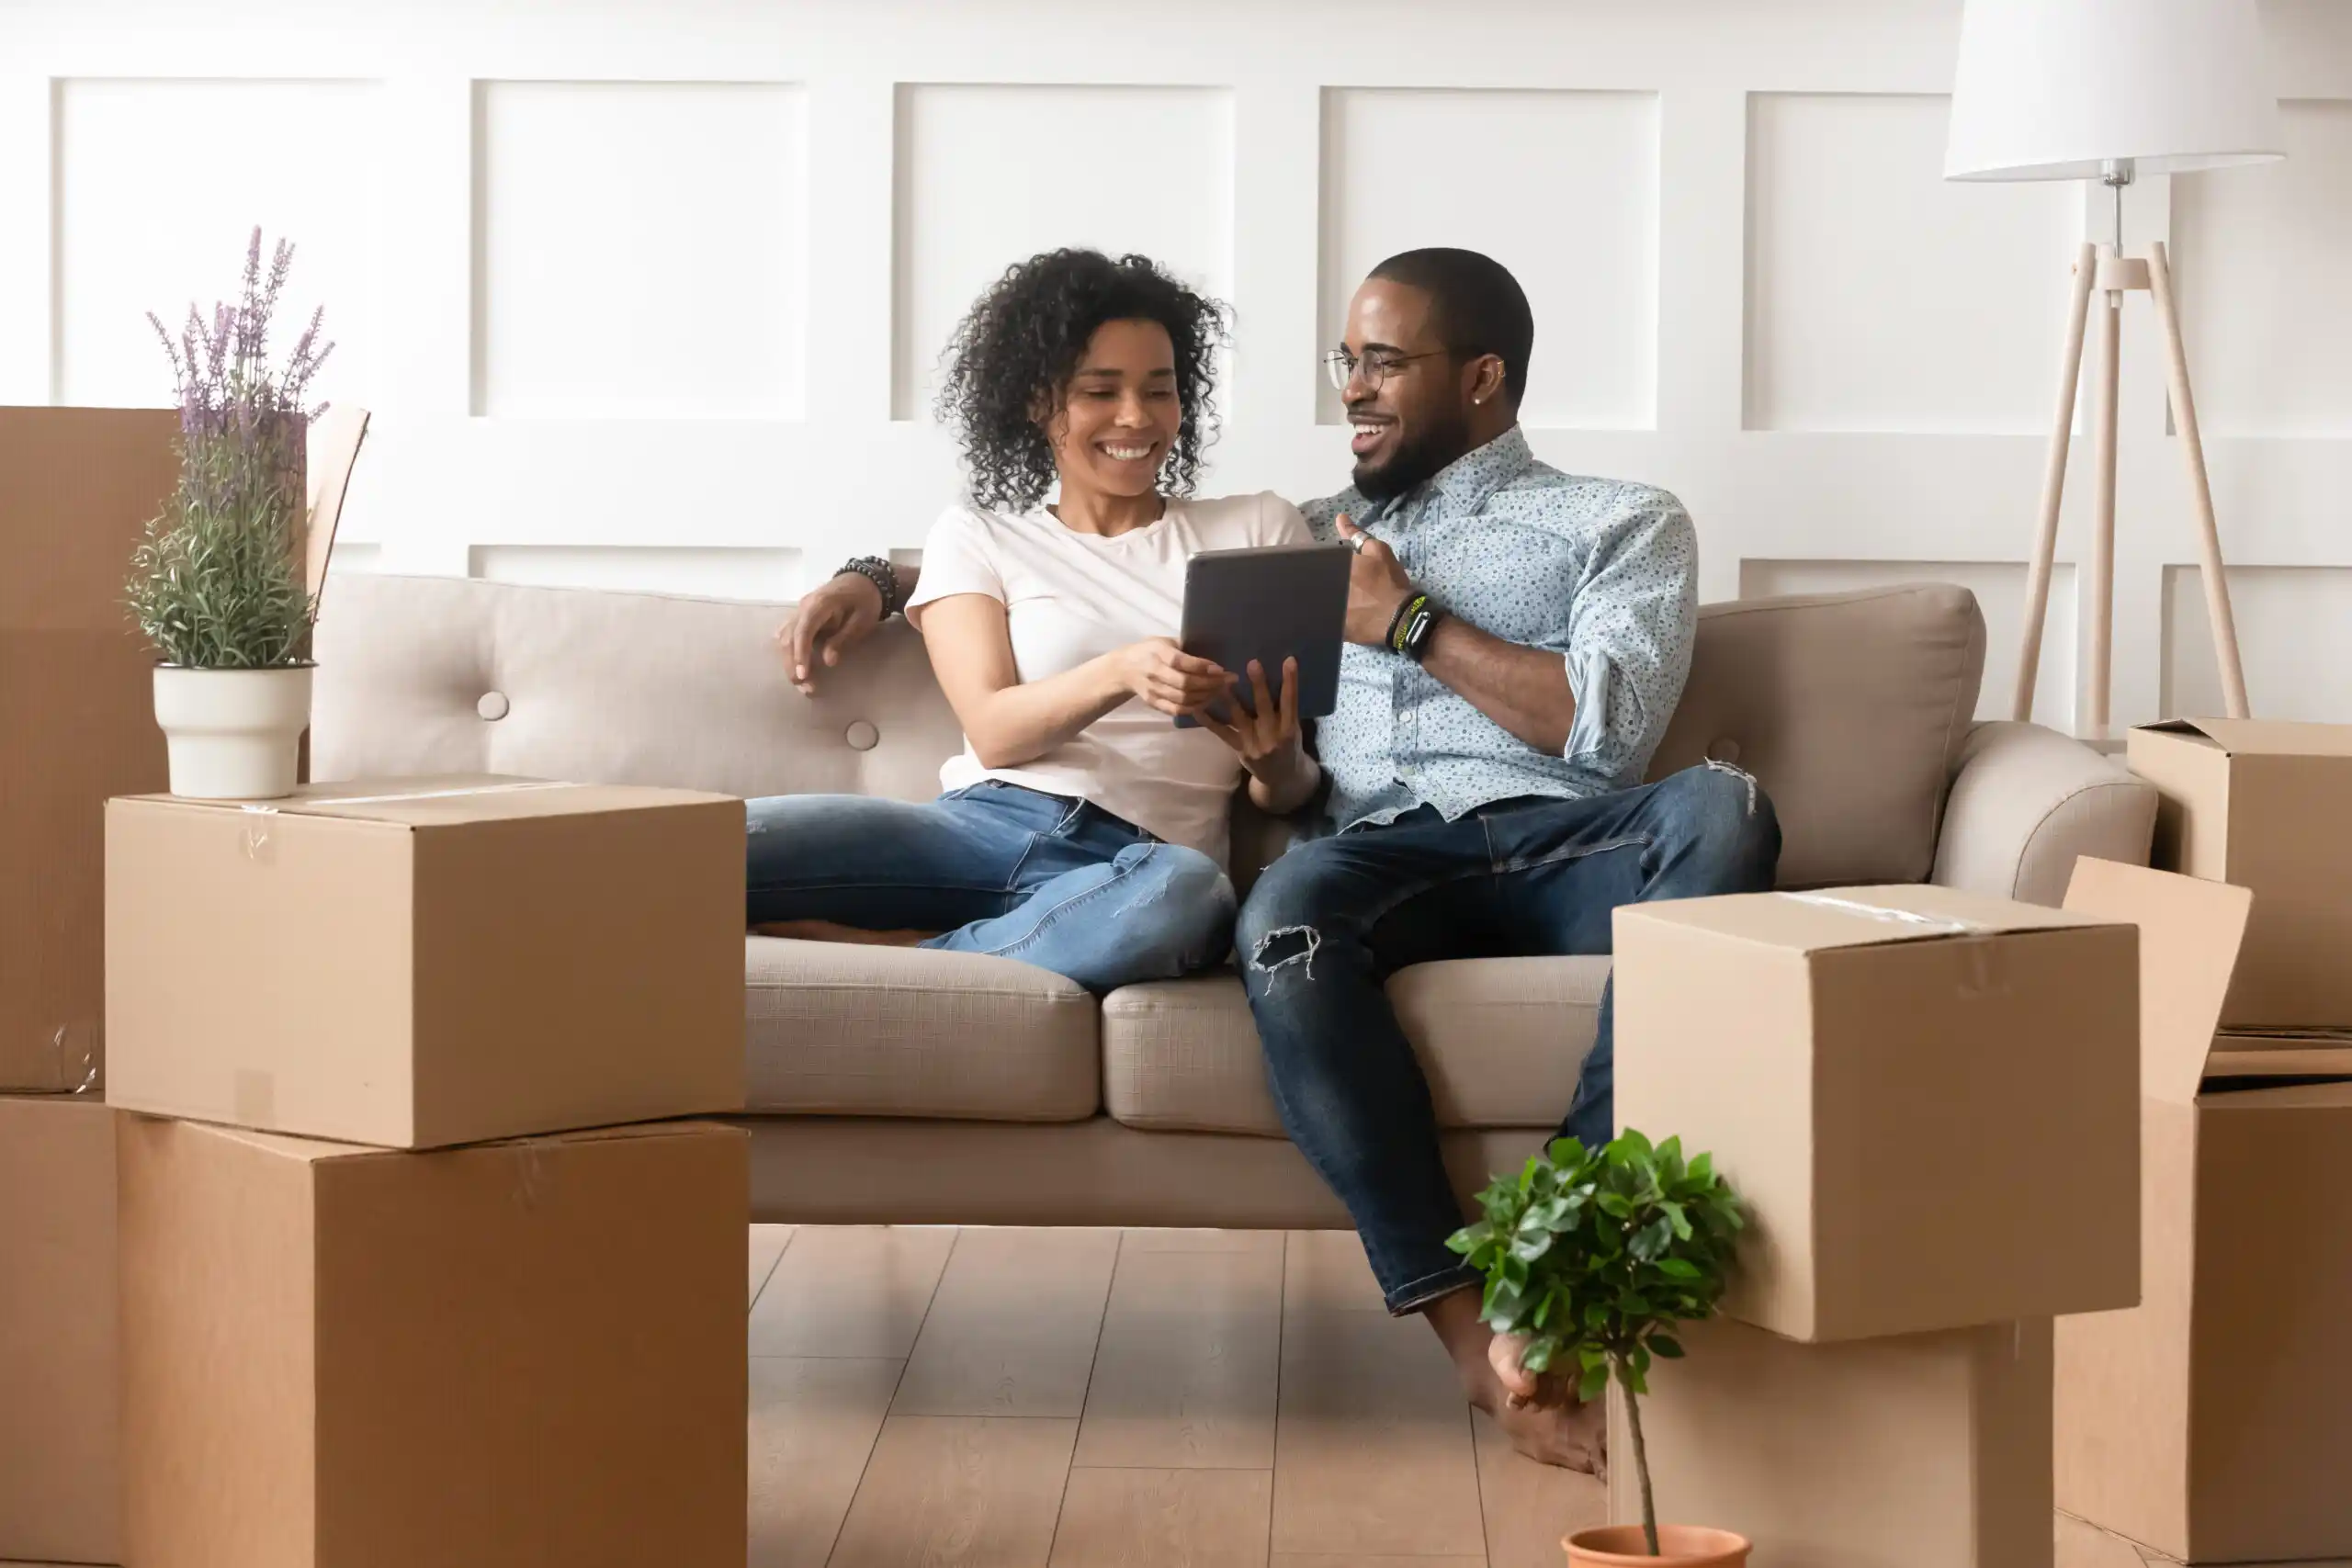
x=994, y=869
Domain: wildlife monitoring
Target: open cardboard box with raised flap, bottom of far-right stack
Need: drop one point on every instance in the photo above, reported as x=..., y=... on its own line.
x=2214, y=1421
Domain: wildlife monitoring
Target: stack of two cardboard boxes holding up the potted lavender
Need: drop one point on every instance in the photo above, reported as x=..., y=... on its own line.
x=413, y=1271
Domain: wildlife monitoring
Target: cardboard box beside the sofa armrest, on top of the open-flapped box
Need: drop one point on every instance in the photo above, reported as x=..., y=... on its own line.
x=2269, y=808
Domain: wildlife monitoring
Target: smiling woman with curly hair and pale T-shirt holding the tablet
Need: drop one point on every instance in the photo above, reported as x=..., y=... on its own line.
x=1081, y=829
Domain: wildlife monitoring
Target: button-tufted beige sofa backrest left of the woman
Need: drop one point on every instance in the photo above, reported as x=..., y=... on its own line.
x=446, y=676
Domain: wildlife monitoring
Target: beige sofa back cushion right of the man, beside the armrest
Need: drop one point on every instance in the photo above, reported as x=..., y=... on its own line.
x=1850, y=709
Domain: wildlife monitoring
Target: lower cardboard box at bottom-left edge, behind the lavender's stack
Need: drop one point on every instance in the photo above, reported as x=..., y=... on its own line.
x=58, y=1332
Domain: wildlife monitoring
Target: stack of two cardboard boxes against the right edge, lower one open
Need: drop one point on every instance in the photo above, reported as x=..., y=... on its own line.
x=2214, y=1421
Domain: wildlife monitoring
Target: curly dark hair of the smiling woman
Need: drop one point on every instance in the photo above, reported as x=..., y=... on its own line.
x=1022, y=344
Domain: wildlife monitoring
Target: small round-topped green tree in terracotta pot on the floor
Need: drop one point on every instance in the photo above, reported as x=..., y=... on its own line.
x=1593, y=1257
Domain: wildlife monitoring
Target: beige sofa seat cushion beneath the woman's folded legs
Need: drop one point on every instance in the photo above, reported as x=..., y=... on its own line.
x=916, y=1033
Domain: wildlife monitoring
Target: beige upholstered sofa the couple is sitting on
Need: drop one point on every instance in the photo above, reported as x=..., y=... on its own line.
x=928, y=1087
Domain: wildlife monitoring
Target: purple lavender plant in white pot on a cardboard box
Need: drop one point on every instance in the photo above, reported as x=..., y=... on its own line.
x=218, y=582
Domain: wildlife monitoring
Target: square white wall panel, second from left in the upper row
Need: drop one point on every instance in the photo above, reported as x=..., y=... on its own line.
x=641, y=250
